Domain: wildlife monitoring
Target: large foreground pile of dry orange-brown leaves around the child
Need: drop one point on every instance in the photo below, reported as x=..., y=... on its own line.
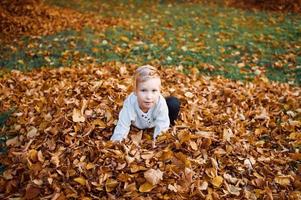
x=233, y=139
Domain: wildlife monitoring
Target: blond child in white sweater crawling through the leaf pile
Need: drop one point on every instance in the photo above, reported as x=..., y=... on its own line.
x=146, y=107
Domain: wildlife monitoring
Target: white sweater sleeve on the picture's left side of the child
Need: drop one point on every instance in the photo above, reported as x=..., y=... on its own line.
x=123, y=125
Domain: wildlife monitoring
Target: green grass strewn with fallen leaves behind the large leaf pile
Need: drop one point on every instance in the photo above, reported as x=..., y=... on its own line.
x=218, y=40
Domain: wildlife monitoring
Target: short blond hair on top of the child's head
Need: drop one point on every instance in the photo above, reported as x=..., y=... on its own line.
x=144, y=73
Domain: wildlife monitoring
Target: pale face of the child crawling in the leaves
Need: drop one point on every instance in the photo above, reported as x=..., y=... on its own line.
x=148, y=93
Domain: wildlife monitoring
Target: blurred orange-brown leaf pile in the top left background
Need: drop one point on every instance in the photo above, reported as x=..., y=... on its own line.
x=34, y=18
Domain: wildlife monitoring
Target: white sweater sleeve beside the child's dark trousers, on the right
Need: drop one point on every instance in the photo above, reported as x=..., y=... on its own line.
x=161, y=119
